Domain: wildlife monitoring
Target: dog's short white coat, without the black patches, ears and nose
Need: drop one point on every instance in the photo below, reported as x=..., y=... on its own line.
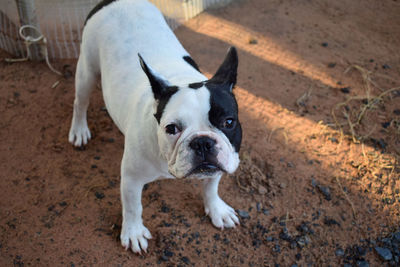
x=111, y=41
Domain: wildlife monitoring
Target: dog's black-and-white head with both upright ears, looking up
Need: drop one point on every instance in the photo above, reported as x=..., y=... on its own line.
x=199, y=133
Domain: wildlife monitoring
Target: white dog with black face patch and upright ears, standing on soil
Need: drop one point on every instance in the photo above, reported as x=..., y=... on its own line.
x=176, y=122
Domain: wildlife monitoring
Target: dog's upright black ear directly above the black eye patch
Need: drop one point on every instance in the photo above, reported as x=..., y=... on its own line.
x=227, y=72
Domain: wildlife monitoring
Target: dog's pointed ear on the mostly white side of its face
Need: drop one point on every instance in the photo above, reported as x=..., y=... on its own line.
x=159, y=85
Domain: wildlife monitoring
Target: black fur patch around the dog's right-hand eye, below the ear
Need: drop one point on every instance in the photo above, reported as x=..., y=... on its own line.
x=223, y=106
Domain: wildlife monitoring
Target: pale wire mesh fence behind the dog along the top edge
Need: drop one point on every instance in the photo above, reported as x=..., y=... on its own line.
x=61, y=22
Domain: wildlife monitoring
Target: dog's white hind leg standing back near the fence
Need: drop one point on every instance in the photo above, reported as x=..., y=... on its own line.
x=85, y=78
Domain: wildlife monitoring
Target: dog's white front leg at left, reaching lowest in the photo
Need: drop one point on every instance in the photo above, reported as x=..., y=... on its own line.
x=133, y=234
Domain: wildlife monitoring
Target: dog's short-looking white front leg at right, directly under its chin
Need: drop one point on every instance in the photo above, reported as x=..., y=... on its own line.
x=221, y=214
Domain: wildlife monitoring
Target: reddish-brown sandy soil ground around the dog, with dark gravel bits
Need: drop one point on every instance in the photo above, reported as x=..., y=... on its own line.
x=311, y=189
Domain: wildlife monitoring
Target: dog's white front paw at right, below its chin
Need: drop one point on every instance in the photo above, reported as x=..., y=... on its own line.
x=221, y=214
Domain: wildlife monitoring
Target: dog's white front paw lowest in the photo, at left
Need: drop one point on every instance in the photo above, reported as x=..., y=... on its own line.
x=135, y=236
